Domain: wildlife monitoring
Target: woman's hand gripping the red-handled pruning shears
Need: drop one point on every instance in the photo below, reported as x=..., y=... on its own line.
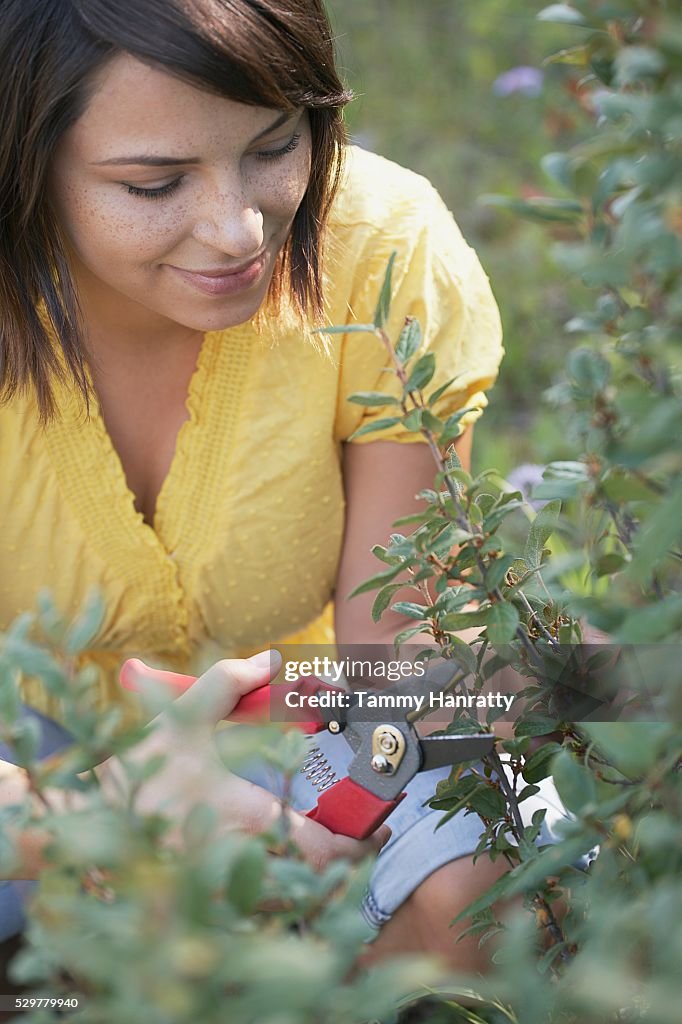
x=193, y=773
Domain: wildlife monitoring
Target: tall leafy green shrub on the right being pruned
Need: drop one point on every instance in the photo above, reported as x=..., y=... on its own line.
x=602, y=945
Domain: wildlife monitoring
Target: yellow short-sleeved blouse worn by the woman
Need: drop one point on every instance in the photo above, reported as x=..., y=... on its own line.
x=249, y=523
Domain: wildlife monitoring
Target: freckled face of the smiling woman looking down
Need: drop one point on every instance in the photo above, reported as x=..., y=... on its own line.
x=176, y=202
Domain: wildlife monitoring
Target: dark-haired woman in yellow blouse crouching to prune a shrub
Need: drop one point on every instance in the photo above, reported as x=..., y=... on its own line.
x=178, y=214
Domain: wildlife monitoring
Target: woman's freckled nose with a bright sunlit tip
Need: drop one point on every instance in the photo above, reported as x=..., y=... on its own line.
x=231, y=221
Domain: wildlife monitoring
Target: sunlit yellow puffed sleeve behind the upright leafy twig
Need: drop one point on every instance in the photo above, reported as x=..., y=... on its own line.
x=439, y=280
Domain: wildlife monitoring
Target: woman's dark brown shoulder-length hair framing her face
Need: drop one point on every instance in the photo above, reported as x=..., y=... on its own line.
x=275, y=54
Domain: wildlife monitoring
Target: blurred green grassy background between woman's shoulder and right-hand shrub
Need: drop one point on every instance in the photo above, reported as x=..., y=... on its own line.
x=425, y=75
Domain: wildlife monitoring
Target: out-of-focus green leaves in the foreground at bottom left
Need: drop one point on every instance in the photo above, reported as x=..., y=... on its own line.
x=219, y=926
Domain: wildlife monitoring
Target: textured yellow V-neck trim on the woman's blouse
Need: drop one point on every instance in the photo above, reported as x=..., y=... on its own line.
x=158, y=561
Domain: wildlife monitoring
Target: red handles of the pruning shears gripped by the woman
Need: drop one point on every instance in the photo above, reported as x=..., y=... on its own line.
x=346, y=808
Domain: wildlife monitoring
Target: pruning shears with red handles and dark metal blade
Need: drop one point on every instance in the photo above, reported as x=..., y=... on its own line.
x=389, y=752
